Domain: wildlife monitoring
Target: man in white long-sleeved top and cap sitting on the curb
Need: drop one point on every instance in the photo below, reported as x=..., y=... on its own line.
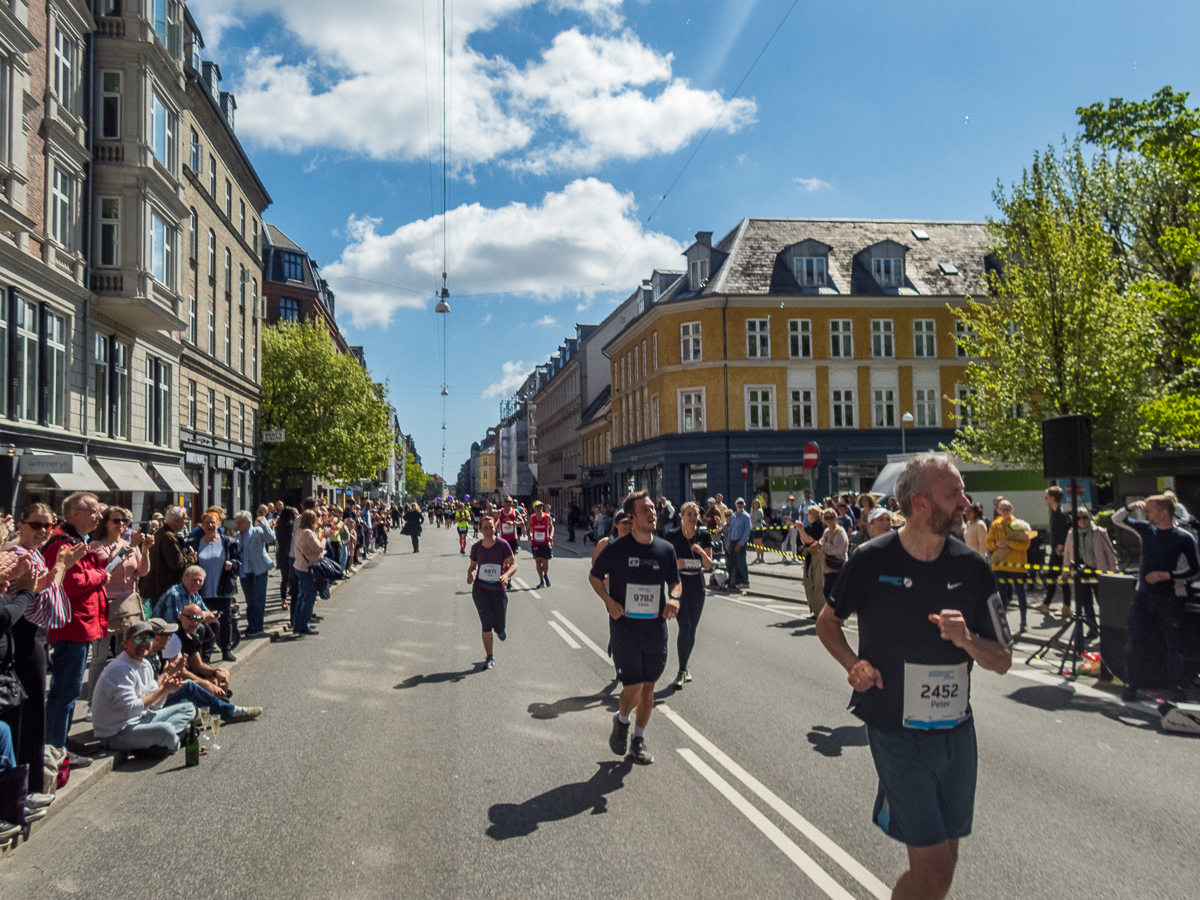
x=129, y=709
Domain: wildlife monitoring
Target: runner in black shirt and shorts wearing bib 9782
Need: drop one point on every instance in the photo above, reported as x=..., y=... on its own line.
x=638, y=568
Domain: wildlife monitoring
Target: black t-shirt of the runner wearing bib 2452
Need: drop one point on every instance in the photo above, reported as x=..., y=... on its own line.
x=895, y=596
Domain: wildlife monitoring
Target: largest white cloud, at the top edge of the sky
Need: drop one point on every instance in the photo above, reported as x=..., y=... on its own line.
x=368, y=82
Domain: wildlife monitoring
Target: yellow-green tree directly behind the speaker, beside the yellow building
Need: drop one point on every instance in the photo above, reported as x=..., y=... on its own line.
x=1058, y=333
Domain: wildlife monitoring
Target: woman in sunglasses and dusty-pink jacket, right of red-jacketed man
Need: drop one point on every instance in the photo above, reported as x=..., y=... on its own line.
x=113, y=538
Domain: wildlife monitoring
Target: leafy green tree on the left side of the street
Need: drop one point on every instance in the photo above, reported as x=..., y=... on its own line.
x=335, y=419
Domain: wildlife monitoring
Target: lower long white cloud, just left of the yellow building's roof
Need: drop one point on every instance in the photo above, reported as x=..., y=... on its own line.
x=580, y=242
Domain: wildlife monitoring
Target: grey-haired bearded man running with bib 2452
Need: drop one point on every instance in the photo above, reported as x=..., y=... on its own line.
x=928, y=610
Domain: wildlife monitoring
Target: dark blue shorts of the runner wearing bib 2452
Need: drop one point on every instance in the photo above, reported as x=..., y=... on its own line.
x=927, y=783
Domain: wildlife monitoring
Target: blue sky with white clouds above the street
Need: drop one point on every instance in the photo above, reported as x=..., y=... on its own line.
x=571, y=119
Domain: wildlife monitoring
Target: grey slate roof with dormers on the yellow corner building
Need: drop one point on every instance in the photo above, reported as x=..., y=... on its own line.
x=755, y=263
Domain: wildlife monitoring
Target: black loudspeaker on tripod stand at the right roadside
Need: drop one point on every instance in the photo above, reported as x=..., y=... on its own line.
x=1067, y=454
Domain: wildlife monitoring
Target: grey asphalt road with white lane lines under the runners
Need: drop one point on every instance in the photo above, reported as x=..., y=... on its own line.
x=388, y=766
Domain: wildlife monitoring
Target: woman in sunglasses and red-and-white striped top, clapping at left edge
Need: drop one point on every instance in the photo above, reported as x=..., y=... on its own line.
x=51, y=610
